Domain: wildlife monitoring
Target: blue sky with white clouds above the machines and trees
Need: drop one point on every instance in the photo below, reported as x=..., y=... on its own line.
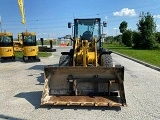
x=49, y=18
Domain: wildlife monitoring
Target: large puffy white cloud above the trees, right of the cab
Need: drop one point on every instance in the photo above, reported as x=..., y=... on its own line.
x=125, y=12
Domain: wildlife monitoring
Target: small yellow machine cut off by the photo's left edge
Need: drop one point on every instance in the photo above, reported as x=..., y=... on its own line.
x=6, y=47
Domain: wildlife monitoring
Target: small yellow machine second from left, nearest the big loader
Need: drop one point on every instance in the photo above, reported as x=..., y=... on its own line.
x=30, y=48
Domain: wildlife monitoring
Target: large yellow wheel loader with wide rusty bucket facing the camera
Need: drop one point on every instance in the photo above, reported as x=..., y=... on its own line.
x=86, y=75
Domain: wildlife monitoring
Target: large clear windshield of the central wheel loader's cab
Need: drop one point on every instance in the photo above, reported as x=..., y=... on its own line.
x=87, y=29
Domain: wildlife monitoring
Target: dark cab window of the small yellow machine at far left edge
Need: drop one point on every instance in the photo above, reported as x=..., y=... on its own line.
x=6, y=41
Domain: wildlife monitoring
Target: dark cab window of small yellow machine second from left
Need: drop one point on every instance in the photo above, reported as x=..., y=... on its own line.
x=29, y=40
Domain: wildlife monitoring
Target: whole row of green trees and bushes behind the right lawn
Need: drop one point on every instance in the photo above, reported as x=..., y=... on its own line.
x=145, y=37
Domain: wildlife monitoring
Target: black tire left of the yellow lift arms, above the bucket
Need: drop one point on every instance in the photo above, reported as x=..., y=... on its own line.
x=64, y=60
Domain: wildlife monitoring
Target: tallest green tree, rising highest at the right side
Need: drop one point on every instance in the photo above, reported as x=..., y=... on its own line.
x=147, y=28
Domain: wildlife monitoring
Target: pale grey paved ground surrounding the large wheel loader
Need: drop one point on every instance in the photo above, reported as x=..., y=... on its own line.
x=21, y=86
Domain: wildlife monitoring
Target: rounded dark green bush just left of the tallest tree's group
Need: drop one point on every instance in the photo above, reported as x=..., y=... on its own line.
x=127, y=38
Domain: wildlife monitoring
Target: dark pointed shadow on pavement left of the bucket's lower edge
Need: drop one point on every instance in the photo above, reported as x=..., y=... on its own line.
x=32, y=97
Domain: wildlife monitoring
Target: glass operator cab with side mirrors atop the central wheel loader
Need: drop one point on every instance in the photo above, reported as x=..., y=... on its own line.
x=87, y=29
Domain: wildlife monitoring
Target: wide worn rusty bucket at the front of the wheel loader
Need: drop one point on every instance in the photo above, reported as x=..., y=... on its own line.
x=84, y=86
